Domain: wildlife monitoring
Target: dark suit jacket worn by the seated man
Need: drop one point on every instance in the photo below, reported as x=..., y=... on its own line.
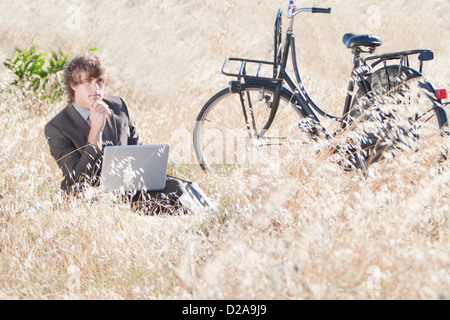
x=67, y=135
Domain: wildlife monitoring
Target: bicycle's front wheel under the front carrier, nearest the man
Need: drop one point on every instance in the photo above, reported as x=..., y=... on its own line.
x=221, y=139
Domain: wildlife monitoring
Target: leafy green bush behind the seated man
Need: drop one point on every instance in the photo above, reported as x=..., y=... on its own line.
x=36, y=72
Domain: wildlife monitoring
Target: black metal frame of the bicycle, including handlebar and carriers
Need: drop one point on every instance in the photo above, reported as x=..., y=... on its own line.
x=304, y=104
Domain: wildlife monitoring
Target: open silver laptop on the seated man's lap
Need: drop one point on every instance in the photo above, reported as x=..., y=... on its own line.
x=135, y=167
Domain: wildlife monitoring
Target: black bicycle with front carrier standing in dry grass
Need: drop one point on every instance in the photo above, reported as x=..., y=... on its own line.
x=257, y=109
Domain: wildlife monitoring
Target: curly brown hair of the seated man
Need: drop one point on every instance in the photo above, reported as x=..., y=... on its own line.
x=89, y=63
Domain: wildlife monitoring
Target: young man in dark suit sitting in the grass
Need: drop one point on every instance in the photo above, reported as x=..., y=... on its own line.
x=78, y=133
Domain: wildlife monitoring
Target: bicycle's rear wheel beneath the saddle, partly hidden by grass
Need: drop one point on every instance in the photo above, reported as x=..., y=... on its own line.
x=406, y=107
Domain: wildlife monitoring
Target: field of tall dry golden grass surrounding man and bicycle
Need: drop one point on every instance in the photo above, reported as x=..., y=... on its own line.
x=303, y=230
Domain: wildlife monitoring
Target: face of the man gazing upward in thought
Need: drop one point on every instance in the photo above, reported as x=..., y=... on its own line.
x=88, y=91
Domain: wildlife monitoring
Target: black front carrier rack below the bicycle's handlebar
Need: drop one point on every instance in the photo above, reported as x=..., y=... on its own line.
x=248, y=69
